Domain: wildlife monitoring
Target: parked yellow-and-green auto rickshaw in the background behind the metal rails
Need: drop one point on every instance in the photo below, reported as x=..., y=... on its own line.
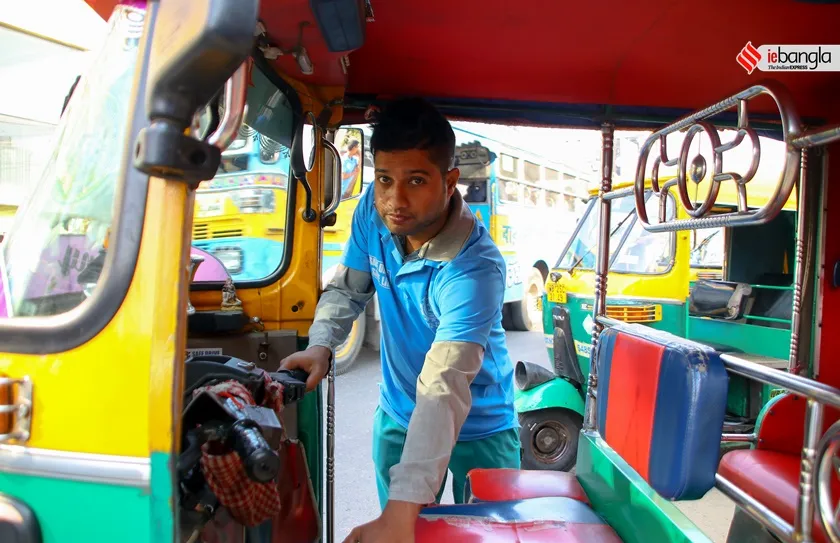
x=654, y=280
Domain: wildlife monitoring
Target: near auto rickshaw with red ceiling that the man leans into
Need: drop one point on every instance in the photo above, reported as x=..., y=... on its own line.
x=112, y=430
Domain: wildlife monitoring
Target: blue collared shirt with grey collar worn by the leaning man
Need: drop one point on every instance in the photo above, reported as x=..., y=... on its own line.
x=451, y=290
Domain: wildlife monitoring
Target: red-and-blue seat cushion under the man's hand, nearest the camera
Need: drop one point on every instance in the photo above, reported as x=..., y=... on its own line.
x=537, y=520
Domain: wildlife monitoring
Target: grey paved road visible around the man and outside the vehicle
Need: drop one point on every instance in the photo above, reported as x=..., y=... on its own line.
x=357, y=394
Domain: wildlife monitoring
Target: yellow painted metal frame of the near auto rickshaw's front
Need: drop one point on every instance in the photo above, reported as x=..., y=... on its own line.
x=136, y=362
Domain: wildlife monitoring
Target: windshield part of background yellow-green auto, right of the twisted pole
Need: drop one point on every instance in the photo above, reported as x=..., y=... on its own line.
x=643, y=251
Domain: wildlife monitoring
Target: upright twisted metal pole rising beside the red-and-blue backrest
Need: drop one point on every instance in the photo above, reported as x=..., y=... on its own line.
x=601, y=269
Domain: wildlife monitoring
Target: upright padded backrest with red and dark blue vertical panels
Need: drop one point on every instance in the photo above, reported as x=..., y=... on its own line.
x=661, y=407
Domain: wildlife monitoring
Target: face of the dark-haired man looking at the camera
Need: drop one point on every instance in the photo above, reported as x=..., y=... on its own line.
x=410, y=191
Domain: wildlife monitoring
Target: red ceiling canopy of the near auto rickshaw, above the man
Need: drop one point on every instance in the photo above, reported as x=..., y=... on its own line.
x=639, y=64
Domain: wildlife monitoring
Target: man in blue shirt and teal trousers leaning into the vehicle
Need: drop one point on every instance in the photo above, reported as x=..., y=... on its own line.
x=446, y=400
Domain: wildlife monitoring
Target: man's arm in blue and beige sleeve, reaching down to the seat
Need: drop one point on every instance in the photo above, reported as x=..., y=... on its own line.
x=470, y=305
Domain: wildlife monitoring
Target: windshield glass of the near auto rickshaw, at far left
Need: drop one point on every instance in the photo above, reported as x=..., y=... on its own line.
x=61, y=229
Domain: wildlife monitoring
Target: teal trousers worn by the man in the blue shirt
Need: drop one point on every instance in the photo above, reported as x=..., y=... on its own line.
x=501, y=450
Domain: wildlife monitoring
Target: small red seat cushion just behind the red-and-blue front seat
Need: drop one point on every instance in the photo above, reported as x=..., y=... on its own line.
x=499, y=484
